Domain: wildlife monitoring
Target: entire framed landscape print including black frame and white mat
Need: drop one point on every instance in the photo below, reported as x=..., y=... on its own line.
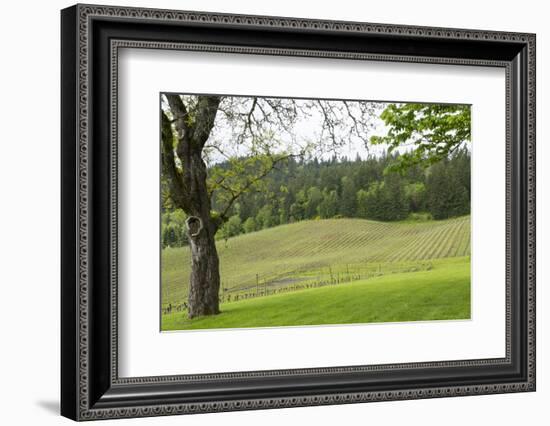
x=263, y=212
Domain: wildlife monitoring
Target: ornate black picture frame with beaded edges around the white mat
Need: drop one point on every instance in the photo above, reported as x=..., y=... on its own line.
x=91, y=388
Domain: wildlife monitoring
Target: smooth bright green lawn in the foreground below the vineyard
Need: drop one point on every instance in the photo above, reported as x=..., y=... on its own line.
x=441, y=293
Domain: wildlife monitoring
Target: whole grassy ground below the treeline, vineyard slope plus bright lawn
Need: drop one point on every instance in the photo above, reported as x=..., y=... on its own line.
x=331, y=272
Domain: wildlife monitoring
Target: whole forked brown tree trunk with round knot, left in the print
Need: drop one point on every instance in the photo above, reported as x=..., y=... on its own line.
x=190, y=192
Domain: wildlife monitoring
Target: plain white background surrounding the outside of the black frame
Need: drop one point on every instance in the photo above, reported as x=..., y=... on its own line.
x=29, y=214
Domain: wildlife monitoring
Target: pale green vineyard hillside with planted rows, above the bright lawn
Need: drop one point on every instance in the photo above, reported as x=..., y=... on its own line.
x=318, y=252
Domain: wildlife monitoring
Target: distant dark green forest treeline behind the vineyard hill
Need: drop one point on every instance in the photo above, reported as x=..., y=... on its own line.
x=335, y=188
